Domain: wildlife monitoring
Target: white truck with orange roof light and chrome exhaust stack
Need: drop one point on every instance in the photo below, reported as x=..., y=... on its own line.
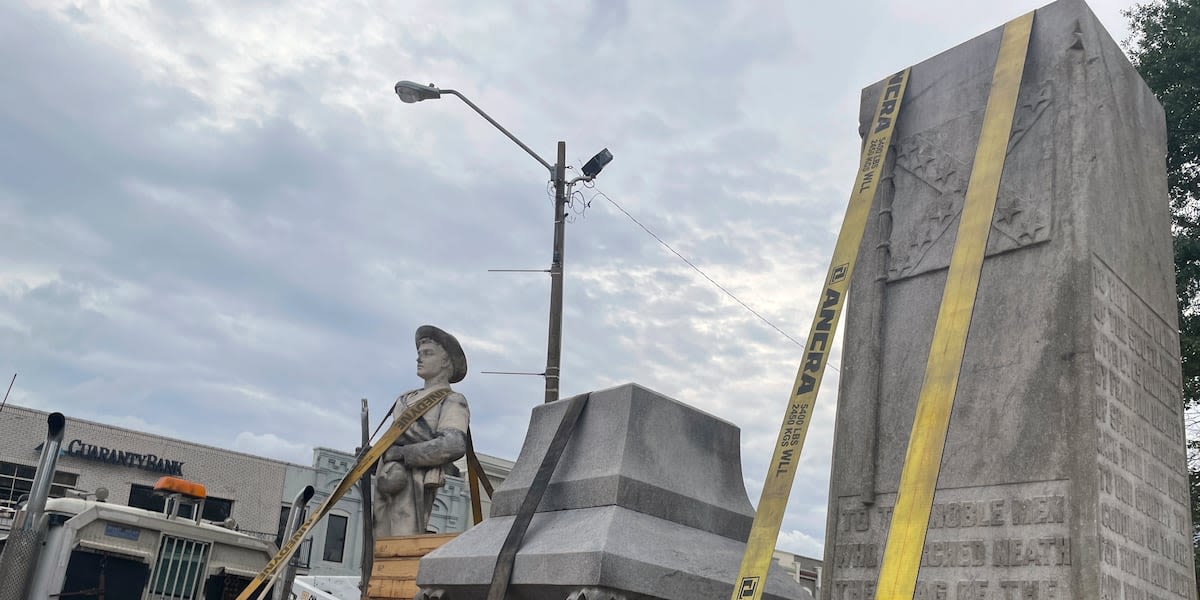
x=86, y=548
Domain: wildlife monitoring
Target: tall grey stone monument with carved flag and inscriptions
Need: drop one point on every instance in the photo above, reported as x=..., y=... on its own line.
x=1064, y=473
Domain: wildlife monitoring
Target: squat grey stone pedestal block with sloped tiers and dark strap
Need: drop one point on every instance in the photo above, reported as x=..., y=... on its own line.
x=646, y=503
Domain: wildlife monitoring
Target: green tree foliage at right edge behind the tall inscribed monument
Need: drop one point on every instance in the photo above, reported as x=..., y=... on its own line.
x=1166, y=47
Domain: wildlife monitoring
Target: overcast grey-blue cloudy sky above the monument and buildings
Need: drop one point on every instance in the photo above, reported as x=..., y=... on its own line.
x=219, y=224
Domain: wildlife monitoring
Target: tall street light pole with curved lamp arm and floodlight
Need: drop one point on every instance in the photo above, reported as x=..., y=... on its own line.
x=411, y=93
